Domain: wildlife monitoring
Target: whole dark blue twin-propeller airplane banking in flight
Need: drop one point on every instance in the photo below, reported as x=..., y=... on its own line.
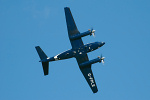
x=78, y=51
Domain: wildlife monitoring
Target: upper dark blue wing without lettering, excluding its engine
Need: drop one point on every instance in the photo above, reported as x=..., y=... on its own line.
x=72, y=28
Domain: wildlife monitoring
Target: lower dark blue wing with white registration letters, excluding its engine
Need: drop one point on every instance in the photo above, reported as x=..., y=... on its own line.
x=87, y=72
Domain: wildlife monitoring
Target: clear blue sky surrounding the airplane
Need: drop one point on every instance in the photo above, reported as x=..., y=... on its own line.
x=124, y=25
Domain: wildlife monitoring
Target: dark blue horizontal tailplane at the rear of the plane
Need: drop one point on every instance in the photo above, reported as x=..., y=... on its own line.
x=43, y=56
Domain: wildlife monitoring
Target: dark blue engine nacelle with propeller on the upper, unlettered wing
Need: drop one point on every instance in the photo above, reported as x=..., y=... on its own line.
x=78, y=36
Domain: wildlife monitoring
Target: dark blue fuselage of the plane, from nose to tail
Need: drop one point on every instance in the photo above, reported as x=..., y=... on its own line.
x=77, y=51
